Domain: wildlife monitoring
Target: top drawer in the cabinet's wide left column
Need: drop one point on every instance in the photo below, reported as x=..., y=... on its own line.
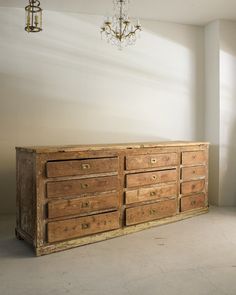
x=81, y=167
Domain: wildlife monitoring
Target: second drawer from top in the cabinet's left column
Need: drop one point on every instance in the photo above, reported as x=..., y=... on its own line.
x=78, y=187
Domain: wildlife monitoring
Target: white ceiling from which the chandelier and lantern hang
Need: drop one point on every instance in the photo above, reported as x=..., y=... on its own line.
x=196, y=12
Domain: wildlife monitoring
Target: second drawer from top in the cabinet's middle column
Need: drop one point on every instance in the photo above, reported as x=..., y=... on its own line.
x=149, y=178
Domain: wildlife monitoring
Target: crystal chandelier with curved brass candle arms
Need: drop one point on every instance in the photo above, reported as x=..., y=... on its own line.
x=118, y=30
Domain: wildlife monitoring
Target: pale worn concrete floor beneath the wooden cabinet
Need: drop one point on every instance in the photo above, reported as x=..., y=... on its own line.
x=196, y=256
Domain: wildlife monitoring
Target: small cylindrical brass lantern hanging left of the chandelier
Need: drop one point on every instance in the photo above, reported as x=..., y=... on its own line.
x=33, y=14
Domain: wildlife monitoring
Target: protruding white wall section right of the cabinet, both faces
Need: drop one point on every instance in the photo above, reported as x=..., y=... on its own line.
x=220, y=55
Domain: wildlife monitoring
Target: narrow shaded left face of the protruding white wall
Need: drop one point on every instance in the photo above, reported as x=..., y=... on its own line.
x=212, y=105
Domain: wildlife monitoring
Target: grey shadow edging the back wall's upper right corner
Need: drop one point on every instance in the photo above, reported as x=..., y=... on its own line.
x=195, y=53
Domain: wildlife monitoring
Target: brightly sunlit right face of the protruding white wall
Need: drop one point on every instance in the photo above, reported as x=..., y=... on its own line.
x=227, y=113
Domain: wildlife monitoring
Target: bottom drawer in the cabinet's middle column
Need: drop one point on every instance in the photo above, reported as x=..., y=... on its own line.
x=151, y=212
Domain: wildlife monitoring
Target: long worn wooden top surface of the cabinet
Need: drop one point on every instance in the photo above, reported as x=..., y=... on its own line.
x=95, y=147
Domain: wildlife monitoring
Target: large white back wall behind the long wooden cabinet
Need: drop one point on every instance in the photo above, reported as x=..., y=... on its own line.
x=66, y=86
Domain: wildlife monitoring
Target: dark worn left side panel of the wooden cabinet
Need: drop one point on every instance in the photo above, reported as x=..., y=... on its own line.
x=25, y=171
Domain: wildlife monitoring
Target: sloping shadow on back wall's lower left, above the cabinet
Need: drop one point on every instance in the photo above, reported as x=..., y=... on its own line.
x=37, y=120
